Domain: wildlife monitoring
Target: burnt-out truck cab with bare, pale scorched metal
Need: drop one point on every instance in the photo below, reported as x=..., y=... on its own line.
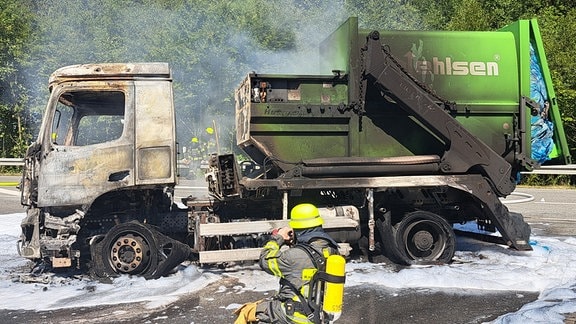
x=106, y=149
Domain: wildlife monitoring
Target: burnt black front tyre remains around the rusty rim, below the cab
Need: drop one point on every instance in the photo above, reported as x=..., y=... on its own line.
x=165, y=253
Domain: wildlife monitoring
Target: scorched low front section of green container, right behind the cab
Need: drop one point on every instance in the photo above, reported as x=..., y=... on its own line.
x=299, y=118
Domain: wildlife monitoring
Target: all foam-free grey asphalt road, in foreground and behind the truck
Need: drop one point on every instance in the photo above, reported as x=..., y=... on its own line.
x=548, y=211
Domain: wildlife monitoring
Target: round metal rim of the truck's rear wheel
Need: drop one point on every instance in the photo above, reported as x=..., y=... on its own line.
x=424, y=239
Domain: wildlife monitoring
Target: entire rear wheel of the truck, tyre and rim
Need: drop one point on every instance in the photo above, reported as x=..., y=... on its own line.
x=423, y=237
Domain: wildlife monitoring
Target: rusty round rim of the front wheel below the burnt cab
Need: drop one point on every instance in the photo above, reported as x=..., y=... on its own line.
x=129, y=253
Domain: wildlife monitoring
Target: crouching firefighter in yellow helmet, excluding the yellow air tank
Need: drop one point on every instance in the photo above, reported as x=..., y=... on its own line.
x=295, y=266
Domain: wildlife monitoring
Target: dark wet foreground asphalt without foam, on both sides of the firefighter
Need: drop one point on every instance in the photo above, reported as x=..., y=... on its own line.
x=364, y=304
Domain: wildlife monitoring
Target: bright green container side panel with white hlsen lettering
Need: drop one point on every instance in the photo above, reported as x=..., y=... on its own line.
x=477, y=70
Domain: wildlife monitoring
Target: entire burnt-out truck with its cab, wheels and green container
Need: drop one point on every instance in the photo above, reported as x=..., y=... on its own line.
x=405, y=135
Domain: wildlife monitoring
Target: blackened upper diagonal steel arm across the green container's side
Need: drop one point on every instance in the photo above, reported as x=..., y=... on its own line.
x=464, y=152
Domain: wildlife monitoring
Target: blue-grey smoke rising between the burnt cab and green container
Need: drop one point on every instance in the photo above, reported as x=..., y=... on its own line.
x=217, y=50
